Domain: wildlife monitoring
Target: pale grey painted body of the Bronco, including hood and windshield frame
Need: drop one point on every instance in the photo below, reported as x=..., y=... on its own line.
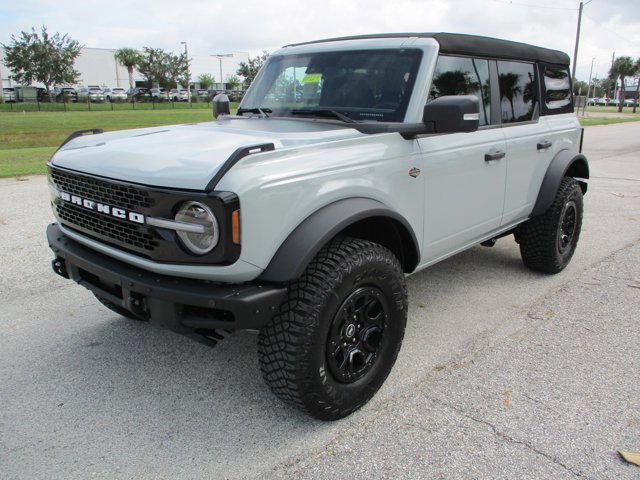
x=458, y=200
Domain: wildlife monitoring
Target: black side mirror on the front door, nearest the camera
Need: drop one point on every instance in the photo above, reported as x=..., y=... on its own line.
x=453, y=113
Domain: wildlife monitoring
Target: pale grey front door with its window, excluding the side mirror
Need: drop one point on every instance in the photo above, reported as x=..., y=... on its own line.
x=464, y=172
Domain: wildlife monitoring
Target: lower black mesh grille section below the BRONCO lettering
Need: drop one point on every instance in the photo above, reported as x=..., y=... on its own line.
x=125, y=233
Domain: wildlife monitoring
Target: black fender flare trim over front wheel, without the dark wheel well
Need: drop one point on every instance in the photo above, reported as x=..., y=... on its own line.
x=306, y=240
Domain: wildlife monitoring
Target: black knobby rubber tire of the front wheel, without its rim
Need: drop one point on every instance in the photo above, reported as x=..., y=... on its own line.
x=293, y=347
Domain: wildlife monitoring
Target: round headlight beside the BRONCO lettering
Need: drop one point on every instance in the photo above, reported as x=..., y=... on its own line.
x=196, y=213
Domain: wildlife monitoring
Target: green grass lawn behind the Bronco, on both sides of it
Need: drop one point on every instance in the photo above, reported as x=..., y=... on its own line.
x=27, y=140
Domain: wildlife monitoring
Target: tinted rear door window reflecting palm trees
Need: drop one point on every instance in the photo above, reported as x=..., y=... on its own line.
x=518, y=91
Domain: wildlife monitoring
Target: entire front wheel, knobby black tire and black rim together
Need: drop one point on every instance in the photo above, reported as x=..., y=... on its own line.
x=337, y=335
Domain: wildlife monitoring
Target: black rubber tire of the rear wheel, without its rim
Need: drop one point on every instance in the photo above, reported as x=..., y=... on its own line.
x=539, y=237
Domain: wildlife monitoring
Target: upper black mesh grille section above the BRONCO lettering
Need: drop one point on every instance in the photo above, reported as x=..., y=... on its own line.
x=122, y=196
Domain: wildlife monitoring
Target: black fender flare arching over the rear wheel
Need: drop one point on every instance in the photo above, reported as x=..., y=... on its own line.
x=564, y=164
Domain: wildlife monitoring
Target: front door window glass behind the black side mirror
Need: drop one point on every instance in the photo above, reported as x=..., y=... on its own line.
x=463, y=76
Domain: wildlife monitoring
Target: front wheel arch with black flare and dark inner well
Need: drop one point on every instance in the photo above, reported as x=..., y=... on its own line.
x=363, y=218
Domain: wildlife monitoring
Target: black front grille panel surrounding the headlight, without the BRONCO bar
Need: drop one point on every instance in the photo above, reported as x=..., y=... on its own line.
x=158, y=244
